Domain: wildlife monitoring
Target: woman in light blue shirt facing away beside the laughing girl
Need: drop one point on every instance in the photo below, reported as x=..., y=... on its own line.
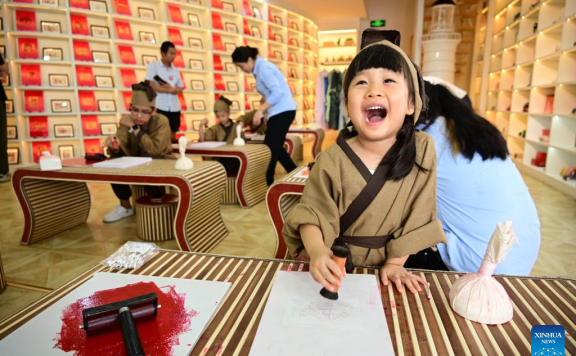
x=478, y=186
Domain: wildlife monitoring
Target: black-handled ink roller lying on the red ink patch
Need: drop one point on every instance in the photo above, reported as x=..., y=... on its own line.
x=124, y=315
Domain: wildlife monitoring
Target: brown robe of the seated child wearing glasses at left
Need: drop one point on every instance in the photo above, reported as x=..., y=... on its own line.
x=152, y=141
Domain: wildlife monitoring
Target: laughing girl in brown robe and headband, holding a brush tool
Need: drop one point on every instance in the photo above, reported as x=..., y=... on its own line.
x=374, y=191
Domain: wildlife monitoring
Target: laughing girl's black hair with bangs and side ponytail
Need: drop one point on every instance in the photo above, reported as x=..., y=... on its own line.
x=402, y=155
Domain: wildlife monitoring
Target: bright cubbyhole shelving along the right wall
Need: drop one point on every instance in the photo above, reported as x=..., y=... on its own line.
x=531, y=95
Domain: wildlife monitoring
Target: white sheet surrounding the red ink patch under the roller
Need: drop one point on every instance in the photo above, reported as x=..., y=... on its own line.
x=202, y=296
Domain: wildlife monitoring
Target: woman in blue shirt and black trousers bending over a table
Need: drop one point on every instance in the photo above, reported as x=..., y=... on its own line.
x=279, y=105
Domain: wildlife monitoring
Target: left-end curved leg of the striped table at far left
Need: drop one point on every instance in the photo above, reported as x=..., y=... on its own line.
x=50, y=206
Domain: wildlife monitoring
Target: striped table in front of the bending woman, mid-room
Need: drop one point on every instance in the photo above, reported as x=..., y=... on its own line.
x=251, y=180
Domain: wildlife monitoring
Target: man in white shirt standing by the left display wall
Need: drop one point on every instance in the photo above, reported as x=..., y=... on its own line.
x=166, y=81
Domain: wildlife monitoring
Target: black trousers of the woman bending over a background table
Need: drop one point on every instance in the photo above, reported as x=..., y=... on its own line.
x=278, y=126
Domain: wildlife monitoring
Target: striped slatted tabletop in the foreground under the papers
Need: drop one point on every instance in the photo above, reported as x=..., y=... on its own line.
x=417, y=326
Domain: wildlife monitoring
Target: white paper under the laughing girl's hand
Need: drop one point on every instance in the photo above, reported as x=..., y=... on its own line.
x=297, y=320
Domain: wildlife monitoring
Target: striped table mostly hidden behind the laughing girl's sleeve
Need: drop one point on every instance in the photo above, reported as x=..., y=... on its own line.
x=281, y=197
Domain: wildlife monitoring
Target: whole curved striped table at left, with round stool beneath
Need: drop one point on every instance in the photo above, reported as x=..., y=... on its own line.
x=54, y=201
